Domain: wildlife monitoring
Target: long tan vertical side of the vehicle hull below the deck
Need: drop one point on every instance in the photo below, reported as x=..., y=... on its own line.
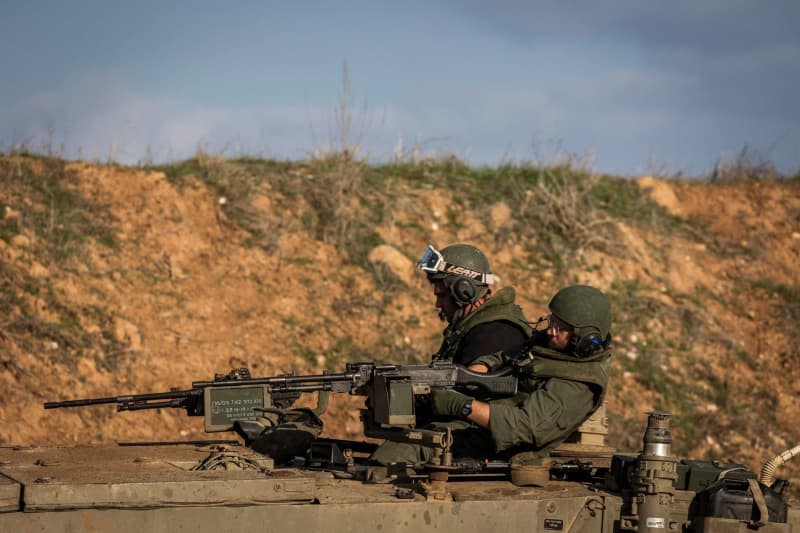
x=466, y=517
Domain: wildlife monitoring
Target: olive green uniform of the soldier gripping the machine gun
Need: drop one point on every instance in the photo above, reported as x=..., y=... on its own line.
x=558, y=392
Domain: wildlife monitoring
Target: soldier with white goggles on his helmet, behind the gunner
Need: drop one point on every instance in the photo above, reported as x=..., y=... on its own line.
x=479, y=321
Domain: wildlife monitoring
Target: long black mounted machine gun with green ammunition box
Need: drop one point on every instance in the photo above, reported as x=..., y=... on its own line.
x=390, y=390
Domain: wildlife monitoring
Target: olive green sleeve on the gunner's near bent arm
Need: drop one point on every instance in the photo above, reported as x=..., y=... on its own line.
x=548, y=414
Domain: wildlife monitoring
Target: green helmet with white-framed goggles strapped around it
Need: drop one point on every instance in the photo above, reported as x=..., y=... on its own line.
x=463, y=268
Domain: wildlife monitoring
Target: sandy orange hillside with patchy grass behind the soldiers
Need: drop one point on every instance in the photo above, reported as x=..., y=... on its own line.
x=116, y=280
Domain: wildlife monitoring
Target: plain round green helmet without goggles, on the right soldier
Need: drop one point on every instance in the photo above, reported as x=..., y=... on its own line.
x=588, y=311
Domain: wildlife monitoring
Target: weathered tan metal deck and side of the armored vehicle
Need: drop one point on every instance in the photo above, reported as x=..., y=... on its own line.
x=133, y=489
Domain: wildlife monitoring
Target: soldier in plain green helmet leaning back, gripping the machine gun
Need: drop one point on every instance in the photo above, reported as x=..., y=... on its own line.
x=563, y=372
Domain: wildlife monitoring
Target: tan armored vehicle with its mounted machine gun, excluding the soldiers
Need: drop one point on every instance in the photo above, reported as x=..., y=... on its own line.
x=326, y=484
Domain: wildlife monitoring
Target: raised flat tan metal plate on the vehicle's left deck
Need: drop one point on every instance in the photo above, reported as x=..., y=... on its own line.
x=142, y=476
